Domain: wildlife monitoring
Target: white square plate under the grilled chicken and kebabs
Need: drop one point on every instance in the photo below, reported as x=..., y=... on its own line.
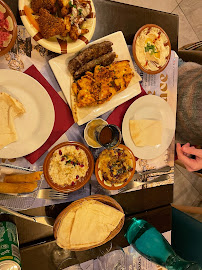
x=59, y=66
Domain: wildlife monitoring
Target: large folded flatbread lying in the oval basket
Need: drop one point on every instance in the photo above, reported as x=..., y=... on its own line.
x=89, y=224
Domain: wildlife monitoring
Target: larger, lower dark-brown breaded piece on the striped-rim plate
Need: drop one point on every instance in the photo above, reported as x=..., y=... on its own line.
x=50, y=25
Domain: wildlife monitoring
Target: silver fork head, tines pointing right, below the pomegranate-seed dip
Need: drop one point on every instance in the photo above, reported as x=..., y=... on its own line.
x=50, y=194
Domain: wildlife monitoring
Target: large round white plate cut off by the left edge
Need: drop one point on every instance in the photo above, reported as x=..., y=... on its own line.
x=35, y=125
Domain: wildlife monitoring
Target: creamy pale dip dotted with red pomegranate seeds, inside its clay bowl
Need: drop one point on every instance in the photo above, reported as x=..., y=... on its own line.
x=68, y=165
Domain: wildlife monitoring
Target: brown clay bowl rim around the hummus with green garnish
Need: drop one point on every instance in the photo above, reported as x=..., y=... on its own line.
x=134, y=50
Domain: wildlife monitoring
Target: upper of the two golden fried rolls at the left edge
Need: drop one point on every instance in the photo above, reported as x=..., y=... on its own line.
x=23, y=178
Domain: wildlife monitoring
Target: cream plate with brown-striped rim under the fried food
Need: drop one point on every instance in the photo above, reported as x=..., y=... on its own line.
x=53, y=44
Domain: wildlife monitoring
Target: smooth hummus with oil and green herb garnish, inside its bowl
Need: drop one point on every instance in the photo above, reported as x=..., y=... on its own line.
x=152, y=49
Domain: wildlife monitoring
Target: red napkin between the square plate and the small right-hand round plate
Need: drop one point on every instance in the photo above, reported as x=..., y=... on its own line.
x=116, y=117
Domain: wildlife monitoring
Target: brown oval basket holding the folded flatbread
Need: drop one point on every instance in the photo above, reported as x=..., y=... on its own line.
x=101, y=198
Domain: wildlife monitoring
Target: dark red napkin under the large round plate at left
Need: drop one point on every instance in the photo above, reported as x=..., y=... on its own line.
x=63, y=115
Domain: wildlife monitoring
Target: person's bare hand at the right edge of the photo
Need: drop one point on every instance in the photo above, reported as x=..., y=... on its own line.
x=184, y=153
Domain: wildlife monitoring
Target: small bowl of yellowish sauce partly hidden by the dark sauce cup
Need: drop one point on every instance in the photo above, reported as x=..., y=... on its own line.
x=90, y=129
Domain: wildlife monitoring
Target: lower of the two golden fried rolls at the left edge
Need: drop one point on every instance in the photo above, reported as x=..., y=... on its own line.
x=17, y=187
